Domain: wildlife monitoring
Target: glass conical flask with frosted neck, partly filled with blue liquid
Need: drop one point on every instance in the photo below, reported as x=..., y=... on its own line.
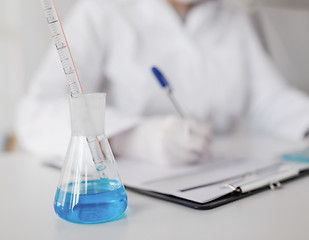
x=90, y=189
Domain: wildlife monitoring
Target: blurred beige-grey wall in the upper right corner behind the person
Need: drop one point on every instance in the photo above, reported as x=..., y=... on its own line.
x=285, y=28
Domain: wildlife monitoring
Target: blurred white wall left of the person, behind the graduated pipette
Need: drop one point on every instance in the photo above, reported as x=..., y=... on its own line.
x=24, y=37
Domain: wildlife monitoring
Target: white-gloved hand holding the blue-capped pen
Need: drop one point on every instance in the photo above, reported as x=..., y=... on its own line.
x=166, y=140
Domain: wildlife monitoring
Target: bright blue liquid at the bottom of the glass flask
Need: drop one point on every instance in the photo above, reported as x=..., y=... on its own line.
x=97, y=201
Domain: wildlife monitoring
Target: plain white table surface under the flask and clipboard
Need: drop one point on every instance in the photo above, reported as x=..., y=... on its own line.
x=28, y=188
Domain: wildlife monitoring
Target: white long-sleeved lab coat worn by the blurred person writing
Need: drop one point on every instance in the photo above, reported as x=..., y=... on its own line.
x=213, y=60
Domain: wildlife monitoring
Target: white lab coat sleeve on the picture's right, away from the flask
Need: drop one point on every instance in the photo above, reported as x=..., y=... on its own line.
x=275, y=107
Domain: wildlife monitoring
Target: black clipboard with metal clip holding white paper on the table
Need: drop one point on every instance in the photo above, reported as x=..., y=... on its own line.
x=251, y=178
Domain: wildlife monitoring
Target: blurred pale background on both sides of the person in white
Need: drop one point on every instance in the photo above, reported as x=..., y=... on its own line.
x=24, y=37
